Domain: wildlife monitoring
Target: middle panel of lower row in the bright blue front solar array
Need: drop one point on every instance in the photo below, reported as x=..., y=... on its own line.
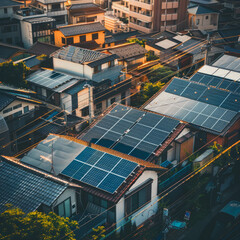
x=94, y=176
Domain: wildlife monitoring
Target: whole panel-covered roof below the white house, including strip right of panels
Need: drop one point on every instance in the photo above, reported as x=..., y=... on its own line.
x=53, y=80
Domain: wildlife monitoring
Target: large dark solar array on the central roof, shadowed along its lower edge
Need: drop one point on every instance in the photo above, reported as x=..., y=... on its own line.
x=130, y=131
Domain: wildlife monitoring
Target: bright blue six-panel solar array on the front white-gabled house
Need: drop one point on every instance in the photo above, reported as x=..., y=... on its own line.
x=99, y=169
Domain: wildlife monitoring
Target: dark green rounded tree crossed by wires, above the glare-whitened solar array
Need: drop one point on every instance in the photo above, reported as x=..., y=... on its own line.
x=161, y=73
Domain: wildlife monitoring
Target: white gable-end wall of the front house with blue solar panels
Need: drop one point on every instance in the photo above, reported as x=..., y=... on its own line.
x=143, y=216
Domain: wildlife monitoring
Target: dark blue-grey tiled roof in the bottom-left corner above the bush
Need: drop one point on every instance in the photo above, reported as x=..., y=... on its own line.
x=26, y=189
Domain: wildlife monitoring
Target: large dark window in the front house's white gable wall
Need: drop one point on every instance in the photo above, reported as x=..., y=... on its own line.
x=138, y=198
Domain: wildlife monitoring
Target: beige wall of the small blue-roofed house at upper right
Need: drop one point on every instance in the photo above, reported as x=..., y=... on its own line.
x=206, y=21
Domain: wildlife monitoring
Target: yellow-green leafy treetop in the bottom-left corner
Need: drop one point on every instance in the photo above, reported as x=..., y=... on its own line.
x=16, y=225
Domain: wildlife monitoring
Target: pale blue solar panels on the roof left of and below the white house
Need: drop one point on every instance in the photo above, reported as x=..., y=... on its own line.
x=49, y=79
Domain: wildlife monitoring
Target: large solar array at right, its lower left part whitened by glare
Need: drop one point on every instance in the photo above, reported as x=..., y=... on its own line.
x=197, y=104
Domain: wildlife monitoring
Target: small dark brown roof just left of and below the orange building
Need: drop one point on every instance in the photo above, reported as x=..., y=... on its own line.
x=40, y=48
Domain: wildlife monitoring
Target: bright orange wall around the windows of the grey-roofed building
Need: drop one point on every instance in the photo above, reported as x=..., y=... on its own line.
x=76, y=39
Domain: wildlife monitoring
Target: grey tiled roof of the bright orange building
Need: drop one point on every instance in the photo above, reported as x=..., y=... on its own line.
x=78, y=29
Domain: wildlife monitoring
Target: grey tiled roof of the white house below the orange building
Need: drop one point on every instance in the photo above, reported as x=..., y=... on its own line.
x=83, y=56
